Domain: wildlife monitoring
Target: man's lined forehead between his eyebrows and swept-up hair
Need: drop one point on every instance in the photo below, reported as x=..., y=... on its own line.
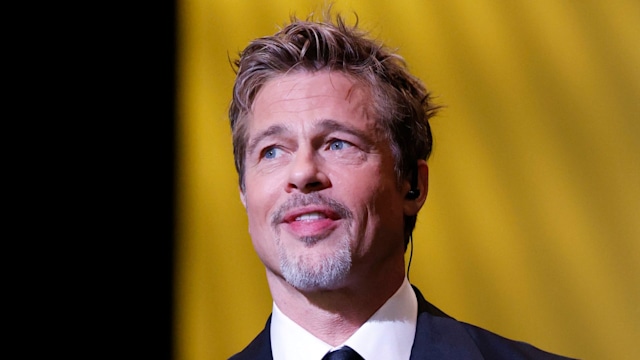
x=311, y=96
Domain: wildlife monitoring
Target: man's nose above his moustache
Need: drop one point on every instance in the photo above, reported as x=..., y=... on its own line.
x=306, y=173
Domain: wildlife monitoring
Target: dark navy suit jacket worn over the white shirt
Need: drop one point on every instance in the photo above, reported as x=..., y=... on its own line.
x=438, y=336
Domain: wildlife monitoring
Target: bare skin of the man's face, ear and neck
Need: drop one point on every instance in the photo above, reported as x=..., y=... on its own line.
x=312, y=133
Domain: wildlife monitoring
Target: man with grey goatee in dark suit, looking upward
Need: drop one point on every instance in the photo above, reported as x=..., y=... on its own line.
x=331, y=136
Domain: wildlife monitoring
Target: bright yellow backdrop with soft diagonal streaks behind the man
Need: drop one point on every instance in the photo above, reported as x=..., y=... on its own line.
x=532, y=224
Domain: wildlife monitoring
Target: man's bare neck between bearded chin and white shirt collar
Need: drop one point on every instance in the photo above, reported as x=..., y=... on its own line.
x=334, y=315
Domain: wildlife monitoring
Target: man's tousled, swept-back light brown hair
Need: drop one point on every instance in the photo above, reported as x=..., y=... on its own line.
x=402, y=104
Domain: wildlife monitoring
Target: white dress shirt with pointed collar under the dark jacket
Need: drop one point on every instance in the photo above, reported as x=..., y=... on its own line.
x=388, y=334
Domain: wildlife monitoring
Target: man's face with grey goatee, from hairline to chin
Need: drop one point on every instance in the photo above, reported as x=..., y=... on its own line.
x=321, y=195
